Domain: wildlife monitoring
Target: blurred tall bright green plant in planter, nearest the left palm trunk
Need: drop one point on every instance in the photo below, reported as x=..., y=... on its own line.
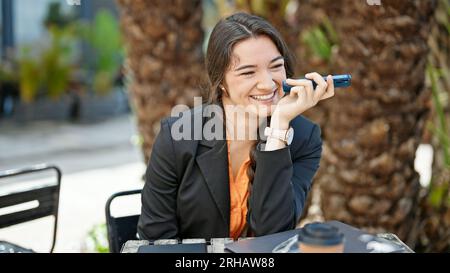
x=104, y=38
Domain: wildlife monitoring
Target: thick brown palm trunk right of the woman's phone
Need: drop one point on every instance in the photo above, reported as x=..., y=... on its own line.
x=372, y=130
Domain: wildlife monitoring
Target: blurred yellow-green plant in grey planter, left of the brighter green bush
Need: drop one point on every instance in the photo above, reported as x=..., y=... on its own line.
x=44, y=76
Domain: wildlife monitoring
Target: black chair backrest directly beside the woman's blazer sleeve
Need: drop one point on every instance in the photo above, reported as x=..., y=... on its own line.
x=120, y=229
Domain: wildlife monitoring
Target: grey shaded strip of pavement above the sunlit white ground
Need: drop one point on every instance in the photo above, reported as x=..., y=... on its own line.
x=64, y=143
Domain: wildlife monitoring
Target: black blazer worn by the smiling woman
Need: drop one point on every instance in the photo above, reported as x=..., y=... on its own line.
x=186, y=194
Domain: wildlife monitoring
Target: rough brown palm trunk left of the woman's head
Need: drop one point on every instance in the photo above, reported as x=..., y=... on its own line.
x=164, y=58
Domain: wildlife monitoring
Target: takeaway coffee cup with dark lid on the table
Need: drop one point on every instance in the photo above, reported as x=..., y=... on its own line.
x=320, y=238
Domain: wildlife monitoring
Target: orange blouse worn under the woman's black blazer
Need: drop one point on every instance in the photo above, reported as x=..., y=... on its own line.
x=238, y=197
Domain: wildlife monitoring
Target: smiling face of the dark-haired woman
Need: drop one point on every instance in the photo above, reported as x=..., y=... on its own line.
x=255, y=75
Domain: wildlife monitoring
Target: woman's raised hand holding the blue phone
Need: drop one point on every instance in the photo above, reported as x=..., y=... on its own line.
x=301, y=98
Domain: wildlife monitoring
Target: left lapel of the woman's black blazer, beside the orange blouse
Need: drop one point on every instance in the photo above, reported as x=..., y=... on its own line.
x=213, y=164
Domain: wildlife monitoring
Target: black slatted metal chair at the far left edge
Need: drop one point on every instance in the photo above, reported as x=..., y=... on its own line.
x=46, y=195
